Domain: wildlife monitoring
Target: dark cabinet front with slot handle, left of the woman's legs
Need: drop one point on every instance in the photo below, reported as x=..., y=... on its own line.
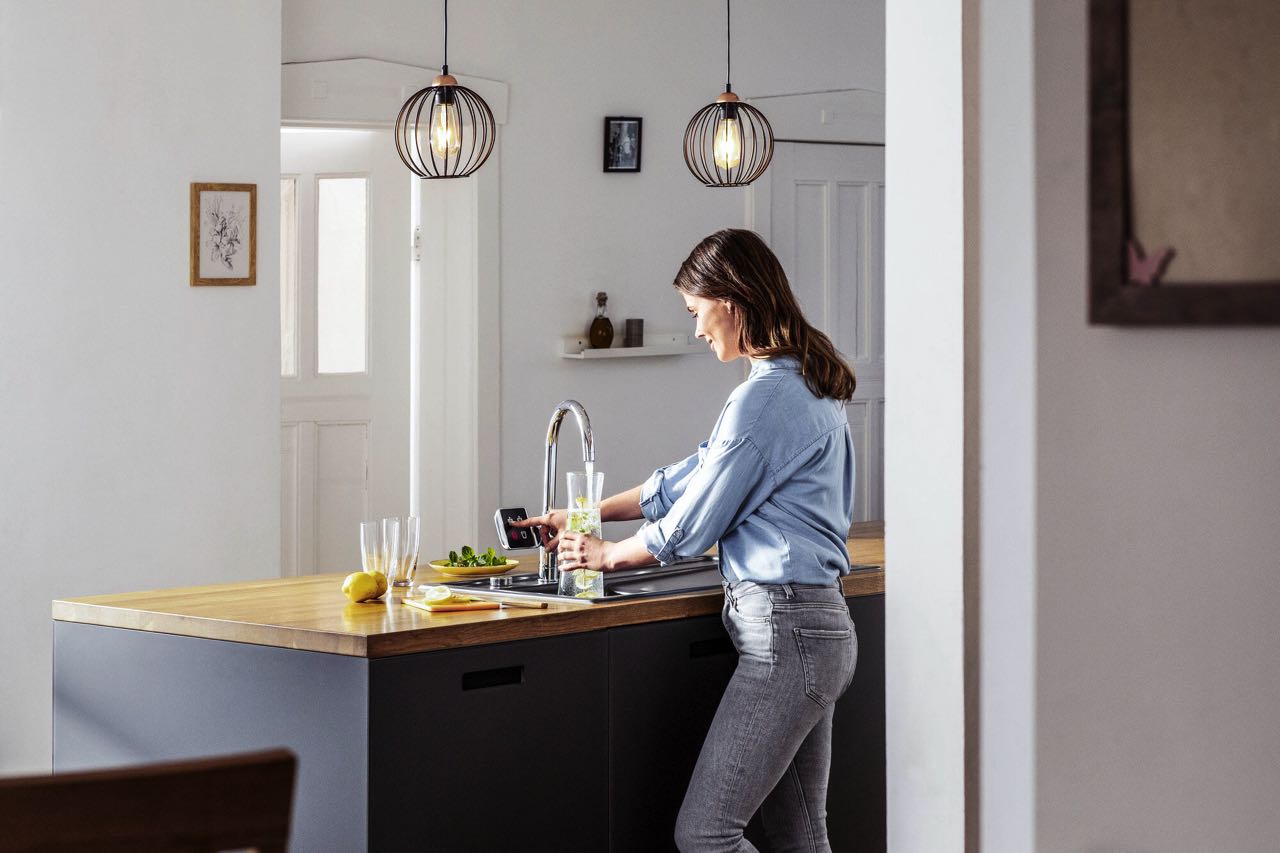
x=491, y=749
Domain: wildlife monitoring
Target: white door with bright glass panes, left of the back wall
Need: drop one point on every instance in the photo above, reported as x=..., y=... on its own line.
x=345, y=326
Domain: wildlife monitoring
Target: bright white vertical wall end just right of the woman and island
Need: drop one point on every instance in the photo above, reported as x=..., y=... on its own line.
x=925, y=427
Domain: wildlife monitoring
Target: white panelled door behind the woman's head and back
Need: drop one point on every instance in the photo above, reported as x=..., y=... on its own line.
x=822, y=212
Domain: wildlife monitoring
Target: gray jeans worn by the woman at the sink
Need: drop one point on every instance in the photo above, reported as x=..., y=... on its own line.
x=770, y=745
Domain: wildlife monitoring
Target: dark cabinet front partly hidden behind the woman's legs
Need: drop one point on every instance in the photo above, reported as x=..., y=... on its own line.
x=665, y=685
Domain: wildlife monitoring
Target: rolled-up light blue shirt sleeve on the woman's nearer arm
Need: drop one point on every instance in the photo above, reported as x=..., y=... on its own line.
x=732, y=482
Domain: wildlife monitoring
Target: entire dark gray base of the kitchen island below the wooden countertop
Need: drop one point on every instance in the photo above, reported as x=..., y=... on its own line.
x=580, y=742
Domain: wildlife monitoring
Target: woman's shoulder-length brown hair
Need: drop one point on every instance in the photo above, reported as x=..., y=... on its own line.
x=738, y=267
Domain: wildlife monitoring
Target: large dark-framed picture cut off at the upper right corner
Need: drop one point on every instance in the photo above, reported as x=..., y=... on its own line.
x=1185, y=186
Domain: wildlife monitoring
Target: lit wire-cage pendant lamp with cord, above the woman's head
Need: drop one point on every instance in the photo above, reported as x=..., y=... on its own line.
x=728, y=143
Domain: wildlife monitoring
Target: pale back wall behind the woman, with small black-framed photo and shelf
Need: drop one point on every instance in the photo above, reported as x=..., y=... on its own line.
x=569, y=230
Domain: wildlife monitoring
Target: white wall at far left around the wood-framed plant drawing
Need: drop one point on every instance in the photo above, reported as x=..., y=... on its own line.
x=140, y=417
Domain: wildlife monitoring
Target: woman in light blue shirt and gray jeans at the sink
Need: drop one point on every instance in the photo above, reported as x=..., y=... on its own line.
x=775, y=487
